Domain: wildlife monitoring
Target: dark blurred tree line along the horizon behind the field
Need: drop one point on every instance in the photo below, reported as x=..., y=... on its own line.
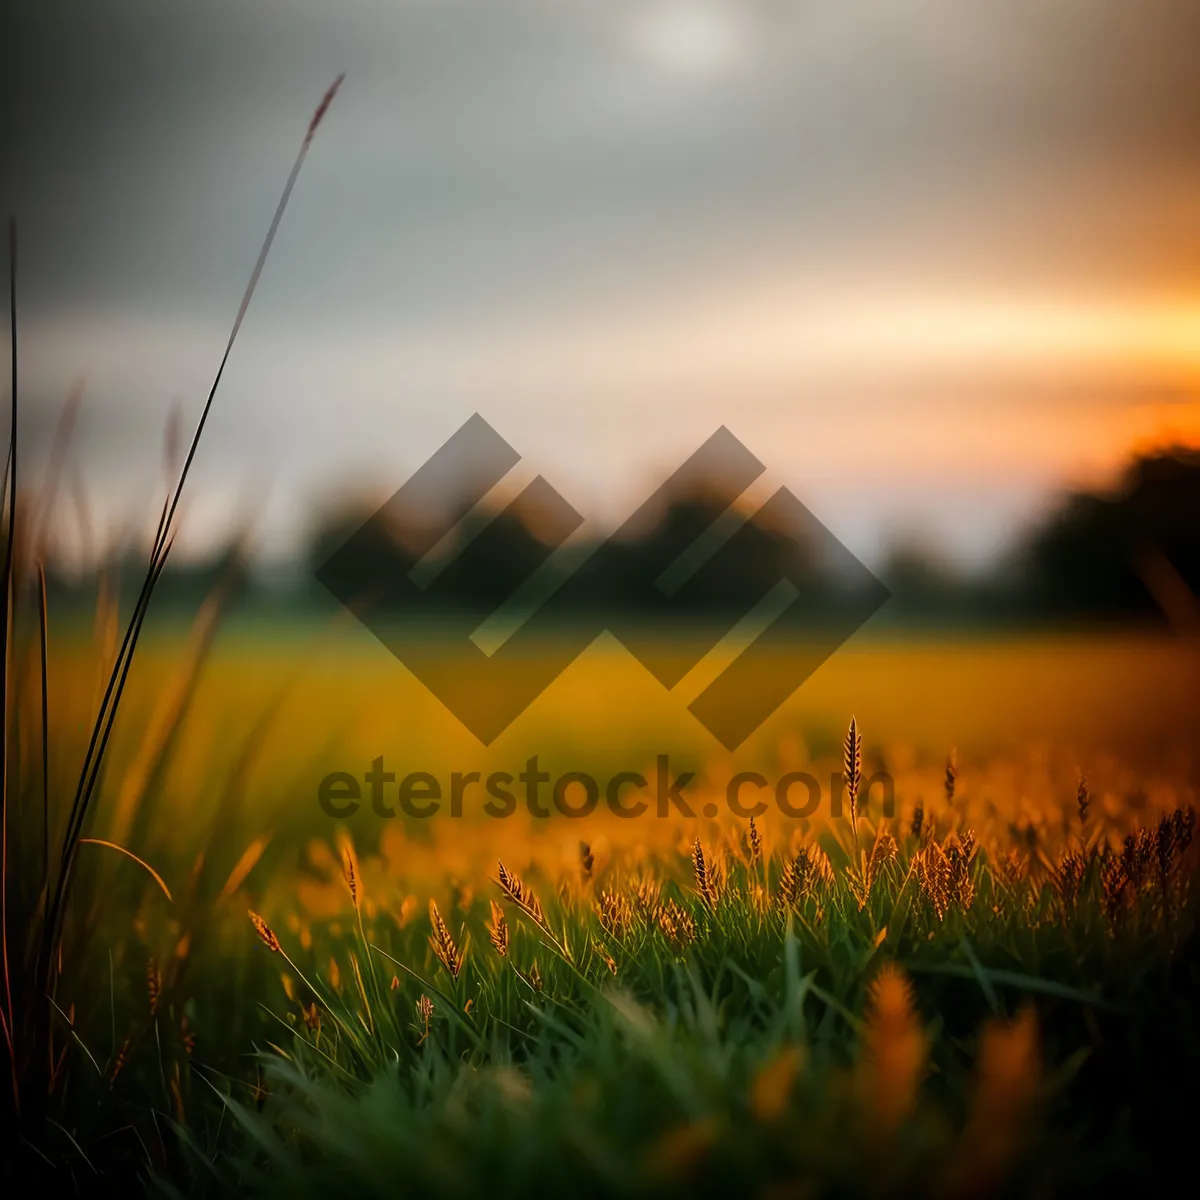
x=1127, y=555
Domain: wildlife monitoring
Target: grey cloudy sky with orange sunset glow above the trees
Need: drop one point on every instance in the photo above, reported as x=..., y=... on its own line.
x=932, y=262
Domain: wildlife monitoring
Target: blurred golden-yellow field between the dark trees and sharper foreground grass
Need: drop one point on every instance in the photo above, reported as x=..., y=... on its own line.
x=1023, y=716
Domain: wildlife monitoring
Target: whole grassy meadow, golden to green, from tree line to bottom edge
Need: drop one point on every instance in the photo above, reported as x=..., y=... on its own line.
x=986, y=992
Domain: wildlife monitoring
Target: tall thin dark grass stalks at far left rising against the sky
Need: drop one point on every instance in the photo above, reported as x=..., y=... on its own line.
x=35, y=905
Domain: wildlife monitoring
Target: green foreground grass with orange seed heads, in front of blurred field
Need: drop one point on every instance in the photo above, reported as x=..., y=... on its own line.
x=680, y=1006
